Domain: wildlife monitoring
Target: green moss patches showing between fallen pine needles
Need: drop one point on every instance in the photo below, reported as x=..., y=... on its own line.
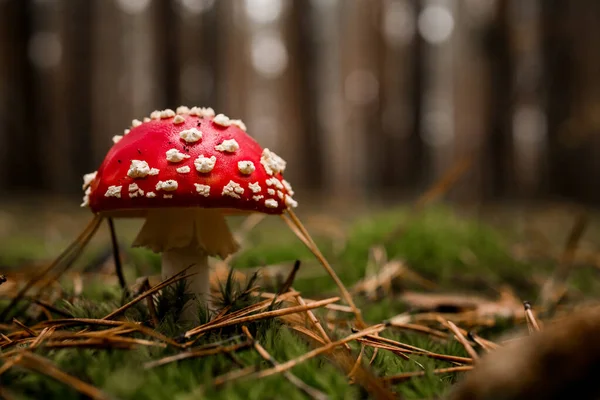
x=457, y=252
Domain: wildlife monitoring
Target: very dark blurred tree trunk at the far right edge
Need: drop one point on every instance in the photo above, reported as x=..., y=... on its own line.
x=573, y=97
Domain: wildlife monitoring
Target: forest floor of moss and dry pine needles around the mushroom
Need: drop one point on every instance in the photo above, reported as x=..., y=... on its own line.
x=434, y=285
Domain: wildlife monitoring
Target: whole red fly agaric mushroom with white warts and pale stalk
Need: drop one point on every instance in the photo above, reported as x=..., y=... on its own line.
x=184, y=172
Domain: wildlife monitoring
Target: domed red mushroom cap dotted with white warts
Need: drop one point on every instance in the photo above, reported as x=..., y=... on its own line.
x=191, y=158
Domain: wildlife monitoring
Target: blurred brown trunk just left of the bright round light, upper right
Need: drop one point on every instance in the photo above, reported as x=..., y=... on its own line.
x=400, y=62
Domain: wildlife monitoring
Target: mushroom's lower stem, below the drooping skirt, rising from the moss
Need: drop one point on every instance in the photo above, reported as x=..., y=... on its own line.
x=198, y=285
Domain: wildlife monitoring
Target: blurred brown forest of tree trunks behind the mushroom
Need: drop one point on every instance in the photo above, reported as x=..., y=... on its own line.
x=364, y=98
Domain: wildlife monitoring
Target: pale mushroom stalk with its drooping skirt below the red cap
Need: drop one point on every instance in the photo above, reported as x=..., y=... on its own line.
x=186, y=238
